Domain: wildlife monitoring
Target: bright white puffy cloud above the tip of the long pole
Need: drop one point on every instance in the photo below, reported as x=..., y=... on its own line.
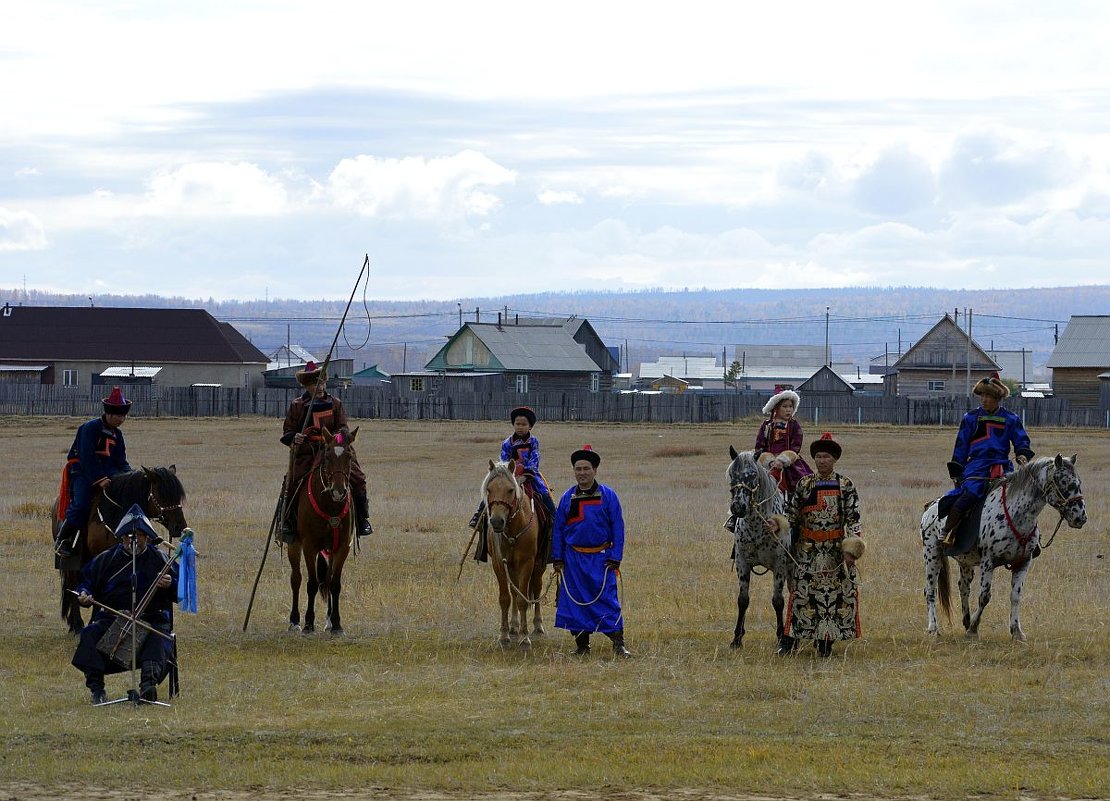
x=439, y=189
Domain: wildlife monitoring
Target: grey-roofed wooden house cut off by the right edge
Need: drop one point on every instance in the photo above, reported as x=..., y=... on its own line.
x=1081, y=357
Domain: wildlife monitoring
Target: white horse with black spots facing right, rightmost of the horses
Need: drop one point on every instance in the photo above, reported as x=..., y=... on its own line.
x=1008, y=535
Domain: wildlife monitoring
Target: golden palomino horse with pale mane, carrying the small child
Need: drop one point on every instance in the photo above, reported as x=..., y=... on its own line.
x=517, y=551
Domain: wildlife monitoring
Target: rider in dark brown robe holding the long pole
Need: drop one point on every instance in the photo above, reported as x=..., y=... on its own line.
x=308, y=417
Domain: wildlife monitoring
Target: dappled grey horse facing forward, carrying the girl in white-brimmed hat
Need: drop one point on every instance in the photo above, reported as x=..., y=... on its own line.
x=756, y=499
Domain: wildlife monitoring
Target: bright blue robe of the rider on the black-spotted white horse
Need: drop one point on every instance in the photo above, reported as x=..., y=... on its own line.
x=983, y=449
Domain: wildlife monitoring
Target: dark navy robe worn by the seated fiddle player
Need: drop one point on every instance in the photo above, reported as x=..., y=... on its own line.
x=108, y=580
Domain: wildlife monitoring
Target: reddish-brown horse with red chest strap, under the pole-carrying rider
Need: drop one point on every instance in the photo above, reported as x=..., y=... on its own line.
x=324, y=532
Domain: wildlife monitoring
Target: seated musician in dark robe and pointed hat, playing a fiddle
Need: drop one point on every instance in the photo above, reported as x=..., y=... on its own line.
x=106, y=582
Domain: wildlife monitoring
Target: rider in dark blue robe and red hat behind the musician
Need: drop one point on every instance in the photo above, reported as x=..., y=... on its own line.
x=98, y=454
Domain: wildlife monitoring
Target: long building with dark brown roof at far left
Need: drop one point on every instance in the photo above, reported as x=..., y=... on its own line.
x=84, y=347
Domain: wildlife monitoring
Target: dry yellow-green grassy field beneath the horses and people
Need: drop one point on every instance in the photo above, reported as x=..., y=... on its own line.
x=418, y=697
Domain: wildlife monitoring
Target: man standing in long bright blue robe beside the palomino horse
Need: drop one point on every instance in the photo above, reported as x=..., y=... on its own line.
x=587, y=551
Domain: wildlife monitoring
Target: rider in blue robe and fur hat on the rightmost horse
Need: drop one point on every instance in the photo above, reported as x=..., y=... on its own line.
x=983, y=452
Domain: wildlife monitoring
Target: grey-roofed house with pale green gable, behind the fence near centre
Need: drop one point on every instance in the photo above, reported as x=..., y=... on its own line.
x=530, y=356
